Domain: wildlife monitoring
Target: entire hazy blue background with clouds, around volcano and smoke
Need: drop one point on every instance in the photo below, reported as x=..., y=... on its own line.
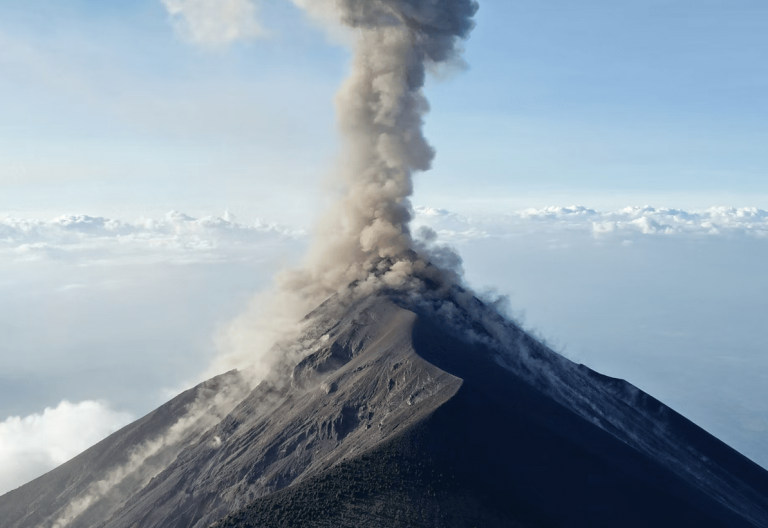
x=107, y=110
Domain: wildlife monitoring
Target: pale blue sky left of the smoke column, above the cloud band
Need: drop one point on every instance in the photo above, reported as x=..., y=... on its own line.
x=108, y=108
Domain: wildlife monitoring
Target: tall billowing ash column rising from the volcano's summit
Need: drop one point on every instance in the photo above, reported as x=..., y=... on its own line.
x=381, y=106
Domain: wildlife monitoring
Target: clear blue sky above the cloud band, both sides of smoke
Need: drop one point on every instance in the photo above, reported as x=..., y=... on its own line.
x=103, y=105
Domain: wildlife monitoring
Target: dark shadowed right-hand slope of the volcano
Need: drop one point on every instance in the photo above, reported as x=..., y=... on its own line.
x=504, y=452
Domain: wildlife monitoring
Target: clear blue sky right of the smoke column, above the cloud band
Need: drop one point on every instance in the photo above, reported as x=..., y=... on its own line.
x=663, y=99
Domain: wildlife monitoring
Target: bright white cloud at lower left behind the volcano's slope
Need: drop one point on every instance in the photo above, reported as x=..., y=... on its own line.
x=35, y=444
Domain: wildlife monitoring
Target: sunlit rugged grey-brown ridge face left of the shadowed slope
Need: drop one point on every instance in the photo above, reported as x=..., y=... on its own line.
x=362, y=385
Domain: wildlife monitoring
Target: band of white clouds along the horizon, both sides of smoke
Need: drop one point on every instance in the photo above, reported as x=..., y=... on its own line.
x=177, y=237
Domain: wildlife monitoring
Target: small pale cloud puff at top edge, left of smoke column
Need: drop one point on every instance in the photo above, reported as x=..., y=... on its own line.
x=215, y=23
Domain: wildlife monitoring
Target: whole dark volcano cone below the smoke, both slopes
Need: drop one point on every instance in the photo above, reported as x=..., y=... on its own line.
x=416, y=413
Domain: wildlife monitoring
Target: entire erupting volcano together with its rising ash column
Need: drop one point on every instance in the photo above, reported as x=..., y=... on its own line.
x=404, y=401
